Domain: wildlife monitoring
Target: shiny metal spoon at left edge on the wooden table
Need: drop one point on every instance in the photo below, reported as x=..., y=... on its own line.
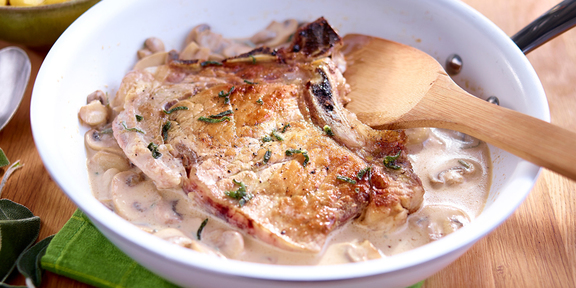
x=14, y=75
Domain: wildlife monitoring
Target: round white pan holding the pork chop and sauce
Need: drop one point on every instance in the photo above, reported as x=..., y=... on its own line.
x=99, y=48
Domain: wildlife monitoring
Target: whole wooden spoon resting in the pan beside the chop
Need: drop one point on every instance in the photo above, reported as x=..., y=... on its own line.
x=395, y=86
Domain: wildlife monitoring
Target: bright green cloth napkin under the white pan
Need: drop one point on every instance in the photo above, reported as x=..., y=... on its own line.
x=79, y=251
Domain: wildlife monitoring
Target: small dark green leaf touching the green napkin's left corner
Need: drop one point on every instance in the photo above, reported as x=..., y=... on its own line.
x=29, y=262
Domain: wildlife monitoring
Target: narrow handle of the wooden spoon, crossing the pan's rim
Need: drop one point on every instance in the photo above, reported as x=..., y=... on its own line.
x=537, y=141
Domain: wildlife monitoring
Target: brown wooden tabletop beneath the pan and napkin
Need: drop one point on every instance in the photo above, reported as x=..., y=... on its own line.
x=536, y=247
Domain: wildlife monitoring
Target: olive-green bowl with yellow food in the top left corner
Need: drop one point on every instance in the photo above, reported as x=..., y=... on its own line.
x=39, y=26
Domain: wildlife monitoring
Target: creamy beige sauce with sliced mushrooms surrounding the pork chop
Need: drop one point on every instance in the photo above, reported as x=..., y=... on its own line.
x=454, y=169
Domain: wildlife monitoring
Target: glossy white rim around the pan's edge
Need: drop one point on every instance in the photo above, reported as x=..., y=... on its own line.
x=461, y=239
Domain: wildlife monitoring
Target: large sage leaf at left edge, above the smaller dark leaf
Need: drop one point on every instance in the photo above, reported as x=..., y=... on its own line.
x=19, y=229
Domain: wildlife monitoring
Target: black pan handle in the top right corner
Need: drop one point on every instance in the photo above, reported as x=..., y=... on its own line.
x=551, y=24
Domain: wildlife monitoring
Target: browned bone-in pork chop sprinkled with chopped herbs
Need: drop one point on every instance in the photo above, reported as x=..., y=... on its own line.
x=263, y=141
